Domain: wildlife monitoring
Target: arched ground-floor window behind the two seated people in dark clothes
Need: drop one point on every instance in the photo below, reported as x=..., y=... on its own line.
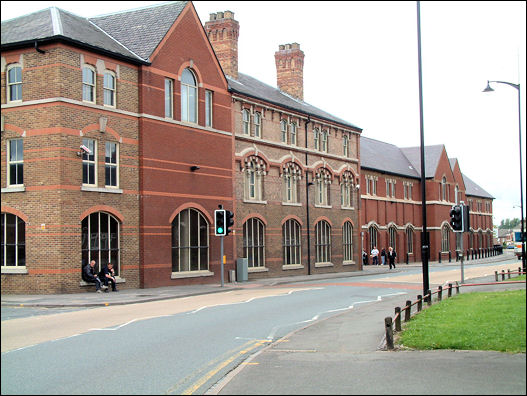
x=100, y=240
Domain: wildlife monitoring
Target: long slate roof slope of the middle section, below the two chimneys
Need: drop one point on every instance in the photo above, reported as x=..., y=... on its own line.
x=247, y=85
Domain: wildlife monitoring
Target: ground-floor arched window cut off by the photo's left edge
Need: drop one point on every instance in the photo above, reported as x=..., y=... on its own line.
x=13, y=241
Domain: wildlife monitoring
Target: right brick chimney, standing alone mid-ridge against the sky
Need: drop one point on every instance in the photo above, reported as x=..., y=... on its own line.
x=290, y=69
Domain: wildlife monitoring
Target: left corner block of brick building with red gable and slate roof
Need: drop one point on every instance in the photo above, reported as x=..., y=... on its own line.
x=116, y=146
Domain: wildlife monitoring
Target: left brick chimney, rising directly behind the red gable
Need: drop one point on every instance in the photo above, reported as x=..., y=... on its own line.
x=222, y=30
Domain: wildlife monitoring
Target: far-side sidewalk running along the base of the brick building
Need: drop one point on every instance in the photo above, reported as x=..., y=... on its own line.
x=132, y=296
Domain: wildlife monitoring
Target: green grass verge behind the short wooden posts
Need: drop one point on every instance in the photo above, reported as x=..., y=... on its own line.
x=491, y=321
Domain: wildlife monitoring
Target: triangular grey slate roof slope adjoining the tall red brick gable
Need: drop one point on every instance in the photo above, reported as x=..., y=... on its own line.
x=141, y=30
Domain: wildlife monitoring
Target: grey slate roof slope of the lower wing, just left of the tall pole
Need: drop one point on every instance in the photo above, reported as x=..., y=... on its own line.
x=385, y=157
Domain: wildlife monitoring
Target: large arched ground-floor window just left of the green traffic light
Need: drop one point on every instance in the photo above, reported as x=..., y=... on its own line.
x=190, y=241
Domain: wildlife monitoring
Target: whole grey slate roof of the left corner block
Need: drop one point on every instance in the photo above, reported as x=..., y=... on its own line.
x=133, y=34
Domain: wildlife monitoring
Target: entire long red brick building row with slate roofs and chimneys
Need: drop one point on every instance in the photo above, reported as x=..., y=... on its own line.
x=121, y=134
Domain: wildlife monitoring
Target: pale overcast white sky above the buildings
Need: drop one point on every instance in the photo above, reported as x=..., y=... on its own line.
x=361, y=65
